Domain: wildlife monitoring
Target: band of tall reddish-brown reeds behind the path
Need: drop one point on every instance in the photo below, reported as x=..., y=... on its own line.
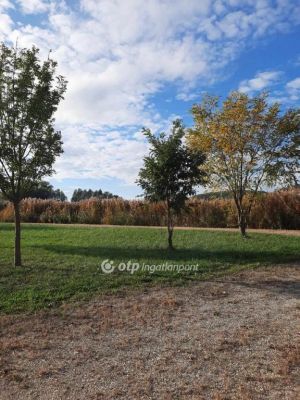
x=277, y=210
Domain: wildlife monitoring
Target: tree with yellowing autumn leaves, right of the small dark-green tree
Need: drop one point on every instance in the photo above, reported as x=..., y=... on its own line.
x=249, y=145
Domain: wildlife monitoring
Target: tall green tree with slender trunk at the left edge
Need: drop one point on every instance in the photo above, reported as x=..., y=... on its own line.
x=30, y=92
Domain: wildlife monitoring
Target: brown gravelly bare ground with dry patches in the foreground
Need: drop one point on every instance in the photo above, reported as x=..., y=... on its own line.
x=232, y=338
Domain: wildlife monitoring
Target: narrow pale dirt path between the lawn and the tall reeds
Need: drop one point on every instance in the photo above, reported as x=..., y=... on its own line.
x=269, y=231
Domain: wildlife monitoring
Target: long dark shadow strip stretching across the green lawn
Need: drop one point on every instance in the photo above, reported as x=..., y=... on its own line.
x=180, y=255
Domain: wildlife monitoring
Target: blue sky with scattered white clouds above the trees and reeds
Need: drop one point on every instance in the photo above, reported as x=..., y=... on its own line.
x=136, y=63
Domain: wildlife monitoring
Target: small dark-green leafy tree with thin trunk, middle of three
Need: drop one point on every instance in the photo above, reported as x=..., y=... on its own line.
x=171, y=172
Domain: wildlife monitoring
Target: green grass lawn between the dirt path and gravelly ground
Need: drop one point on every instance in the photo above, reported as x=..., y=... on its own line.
x=63, y=262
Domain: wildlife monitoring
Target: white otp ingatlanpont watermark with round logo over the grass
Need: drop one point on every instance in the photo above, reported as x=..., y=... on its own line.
x=108, y=267
